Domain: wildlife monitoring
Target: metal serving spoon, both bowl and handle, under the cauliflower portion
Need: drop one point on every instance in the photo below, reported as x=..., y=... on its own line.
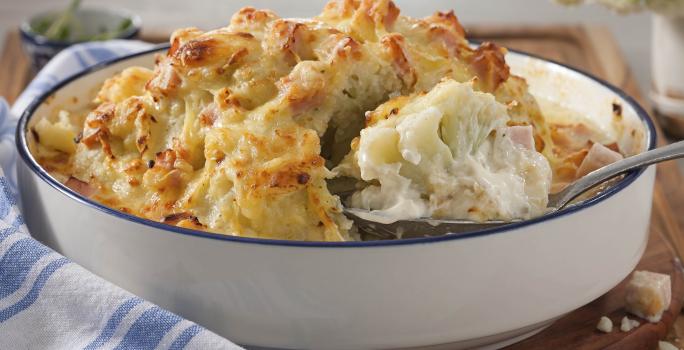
x=386, y=228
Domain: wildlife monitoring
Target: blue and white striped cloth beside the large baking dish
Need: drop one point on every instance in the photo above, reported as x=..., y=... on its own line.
x=47, y=301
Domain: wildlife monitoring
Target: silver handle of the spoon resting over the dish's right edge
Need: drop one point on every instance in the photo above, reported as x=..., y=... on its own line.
x=599, y=176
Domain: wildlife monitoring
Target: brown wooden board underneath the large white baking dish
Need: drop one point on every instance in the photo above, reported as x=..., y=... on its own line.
x=593, y=50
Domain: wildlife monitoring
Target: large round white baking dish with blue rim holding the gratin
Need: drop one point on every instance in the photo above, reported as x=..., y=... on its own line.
x=486, y=289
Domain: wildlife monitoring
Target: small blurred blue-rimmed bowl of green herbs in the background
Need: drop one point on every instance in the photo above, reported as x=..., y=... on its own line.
x=85, y=24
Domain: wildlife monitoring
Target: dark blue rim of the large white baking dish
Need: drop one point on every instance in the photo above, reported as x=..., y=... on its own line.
x=22, y=146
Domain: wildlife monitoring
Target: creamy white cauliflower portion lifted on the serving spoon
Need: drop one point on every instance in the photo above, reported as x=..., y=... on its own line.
x=448, y=154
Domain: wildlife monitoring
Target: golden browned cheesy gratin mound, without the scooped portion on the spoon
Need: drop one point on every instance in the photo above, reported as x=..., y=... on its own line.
x=235, y=129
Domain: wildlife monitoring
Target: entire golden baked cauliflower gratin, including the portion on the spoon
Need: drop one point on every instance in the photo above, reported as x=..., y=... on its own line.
x=239, y=130
